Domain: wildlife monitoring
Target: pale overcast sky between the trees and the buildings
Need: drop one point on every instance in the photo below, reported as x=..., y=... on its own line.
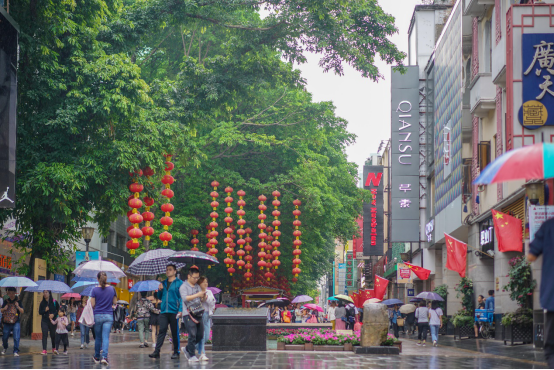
x=365, y=104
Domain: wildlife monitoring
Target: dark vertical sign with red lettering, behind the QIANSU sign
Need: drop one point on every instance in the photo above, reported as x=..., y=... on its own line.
x=374, y=232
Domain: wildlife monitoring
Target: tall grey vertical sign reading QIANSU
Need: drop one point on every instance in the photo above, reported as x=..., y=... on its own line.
x=405, y=156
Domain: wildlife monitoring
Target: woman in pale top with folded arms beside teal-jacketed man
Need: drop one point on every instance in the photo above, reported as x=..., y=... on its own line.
x=193, y=310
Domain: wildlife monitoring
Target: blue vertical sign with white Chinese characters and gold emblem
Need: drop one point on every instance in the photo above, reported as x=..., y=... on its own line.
x=537, y=80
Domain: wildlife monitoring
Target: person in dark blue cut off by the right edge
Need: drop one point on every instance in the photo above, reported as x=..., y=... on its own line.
x=542, y=246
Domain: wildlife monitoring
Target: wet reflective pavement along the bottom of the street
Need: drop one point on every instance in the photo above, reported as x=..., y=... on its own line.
x=124, y=353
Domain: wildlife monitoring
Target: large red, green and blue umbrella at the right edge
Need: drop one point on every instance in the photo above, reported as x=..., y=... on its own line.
x=530, y=162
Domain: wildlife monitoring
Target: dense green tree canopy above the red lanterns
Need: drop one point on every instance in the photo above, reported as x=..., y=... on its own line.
x=107, y=86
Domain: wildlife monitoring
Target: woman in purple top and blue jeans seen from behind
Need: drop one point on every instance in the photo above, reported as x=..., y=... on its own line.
x=103, y=299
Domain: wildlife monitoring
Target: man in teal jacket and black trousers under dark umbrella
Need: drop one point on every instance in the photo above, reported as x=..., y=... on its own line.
x=171, y=305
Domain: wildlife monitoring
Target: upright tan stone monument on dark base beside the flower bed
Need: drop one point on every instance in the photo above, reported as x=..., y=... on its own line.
x=375, y=330
